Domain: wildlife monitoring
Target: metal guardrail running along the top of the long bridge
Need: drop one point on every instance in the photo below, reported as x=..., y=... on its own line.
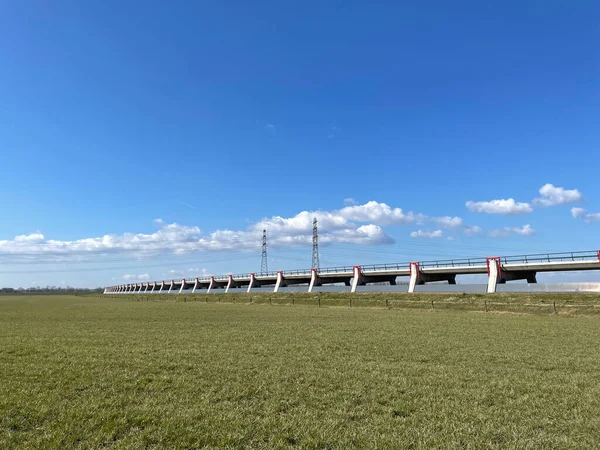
x=466, y=262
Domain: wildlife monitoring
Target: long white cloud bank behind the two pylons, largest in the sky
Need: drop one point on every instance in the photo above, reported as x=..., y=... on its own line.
x=356, y=224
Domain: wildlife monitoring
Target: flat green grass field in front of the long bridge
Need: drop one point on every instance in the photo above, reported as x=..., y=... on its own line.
x=92, y=372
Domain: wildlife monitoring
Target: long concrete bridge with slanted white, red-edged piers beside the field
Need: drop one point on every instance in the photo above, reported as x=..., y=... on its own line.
x=499, y=270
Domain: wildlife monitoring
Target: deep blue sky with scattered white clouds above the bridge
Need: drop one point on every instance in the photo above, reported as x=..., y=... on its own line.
x=154, y=140
